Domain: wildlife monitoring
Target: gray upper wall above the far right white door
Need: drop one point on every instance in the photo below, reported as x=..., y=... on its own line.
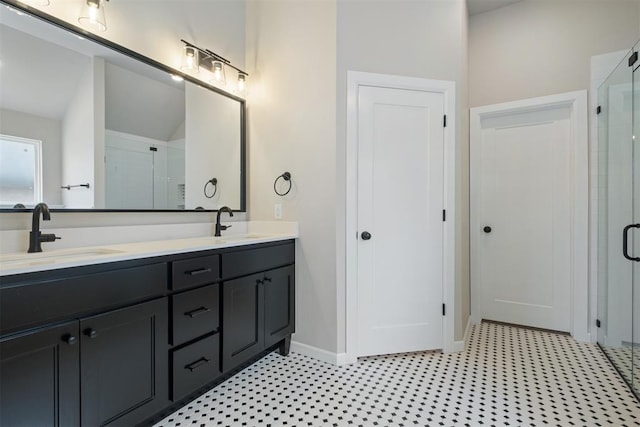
x=541, y=47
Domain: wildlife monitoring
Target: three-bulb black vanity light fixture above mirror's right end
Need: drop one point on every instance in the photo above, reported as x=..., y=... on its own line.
x=212, y=62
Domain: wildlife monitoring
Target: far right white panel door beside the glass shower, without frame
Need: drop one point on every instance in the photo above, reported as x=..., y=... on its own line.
x=524, y=230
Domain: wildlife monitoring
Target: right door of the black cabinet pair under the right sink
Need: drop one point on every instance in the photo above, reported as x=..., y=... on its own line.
x=279, y=304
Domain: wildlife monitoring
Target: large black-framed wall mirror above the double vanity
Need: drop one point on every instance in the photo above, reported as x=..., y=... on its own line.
x=85, y=126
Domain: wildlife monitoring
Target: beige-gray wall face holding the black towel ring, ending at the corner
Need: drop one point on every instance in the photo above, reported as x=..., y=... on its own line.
x=291, y=58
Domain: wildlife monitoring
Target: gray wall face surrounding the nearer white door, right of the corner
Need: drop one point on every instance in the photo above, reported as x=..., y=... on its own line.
x=424, y=39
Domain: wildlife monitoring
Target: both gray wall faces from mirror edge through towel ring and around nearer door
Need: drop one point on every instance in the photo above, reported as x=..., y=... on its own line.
x=298, y=54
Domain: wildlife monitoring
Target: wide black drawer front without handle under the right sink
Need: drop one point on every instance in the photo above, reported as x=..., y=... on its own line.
x=245, y=262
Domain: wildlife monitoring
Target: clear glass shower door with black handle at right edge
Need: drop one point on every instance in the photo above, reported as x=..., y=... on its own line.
x=615, y=212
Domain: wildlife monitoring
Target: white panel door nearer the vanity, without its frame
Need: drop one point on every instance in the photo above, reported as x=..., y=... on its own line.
x=400, y=203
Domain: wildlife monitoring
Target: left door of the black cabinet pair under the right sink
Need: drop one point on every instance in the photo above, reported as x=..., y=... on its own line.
x=242, y=320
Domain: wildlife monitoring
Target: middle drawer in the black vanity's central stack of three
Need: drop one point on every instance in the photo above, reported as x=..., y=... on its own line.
x=195, y=313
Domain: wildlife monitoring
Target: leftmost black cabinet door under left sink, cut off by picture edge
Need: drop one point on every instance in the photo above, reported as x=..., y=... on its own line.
x=39, y=383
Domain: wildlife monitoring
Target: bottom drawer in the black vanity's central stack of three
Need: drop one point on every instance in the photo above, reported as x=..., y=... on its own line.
x=195, y=366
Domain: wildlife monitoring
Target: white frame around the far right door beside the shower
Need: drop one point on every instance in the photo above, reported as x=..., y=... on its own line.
x=579, y=146
